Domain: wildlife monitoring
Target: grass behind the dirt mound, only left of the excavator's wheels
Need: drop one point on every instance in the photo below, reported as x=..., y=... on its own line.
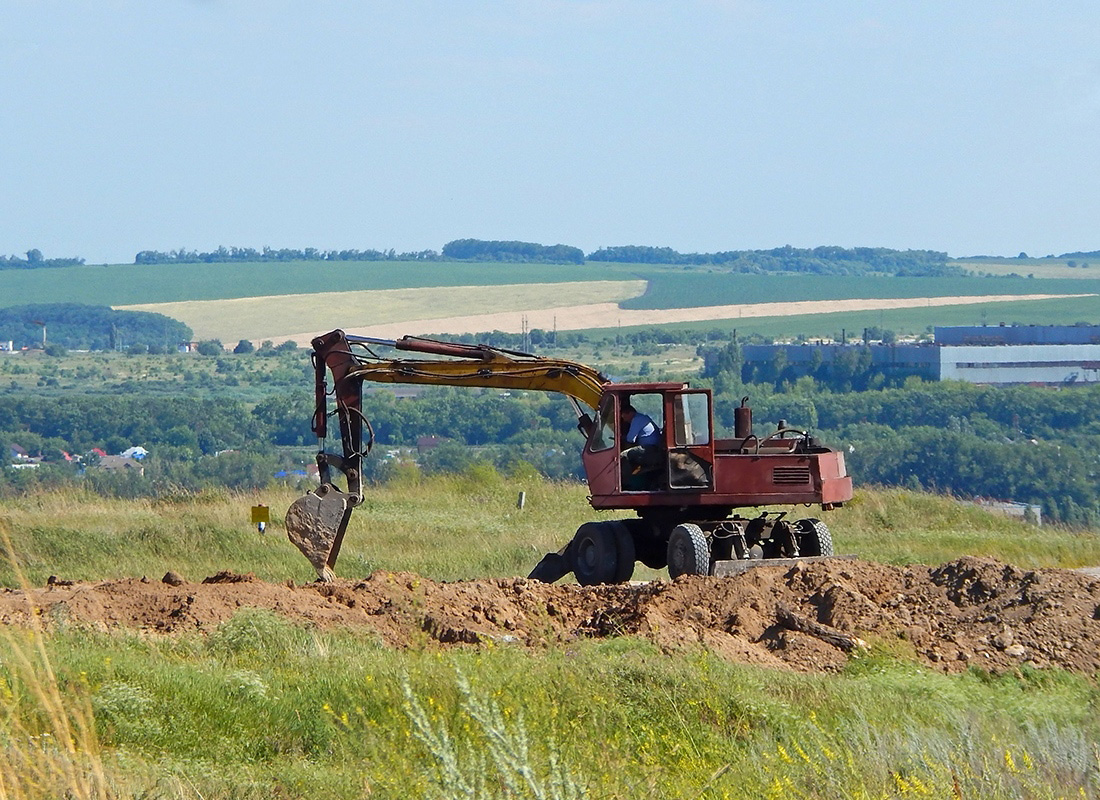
x=446, y=529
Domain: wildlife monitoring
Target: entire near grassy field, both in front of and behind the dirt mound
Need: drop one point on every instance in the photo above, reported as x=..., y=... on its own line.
x=267, y=709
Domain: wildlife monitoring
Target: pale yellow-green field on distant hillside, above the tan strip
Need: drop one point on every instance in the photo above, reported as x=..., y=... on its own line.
x=258, y=319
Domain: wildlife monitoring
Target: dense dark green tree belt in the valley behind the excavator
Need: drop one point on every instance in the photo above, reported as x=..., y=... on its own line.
x=1024, y=444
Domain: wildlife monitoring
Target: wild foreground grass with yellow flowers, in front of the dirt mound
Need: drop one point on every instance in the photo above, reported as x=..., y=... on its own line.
x=263, y=708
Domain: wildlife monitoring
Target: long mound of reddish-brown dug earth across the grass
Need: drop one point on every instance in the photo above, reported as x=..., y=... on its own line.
x=807, y=618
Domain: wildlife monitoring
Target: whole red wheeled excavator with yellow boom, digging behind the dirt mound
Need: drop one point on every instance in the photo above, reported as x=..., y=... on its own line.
x=686, y=511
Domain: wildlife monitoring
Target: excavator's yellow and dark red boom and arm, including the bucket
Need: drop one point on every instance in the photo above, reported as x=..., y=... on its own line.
x=317, y=522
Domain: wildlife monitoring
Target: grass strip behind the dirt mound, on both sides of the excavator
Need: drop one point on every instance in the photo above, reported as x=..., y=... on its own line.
x=456, y=528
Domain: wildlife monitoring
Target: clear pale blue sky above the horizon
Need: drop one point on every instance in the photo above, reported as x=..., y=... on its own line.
x=700, y=125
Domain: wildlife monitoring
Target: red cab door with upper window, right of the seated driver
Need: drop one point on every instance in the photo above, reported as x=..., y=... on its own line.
x=691, y=441
